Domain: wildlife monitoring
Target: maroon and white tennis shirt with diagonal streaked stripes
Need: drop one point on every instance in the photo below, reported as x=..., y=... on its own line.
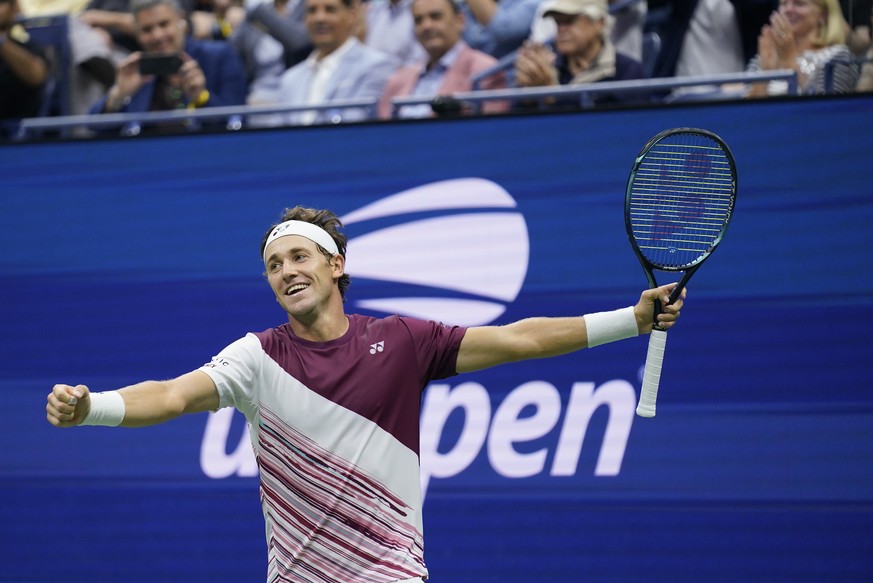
x=335, y=429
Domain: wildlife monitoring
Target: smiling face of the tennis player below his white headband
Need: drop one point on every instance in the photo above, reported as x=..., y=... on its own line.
x=301, y=276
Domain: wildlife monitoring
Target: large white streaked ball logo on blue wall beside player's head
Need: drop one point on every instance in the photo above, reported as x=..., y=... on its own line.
x=462, y=263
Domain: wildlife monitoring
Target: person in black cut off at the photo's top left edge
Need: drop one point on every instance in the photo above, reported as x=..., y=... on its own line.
x=23, y=68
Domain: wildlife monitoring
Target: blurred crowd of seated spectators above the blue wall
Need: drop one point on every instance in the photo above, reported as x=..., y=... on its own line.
x=128, y=56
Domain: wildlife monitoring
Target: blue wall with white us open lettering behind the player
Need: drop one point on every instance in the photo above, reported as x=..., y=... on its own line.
x=124, y=260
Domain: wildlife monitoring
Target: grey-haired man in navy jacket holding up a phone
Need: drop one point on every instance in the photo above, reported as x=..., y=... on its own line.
x=210, y=73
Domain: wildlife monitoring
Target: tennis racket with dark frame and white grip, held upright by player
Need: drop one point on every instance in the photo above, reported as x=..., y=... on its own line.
x=680, y=197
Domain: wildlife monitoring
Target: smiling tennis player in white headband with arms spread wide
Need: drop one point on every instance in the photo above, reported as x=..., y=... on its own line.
x=333, y=400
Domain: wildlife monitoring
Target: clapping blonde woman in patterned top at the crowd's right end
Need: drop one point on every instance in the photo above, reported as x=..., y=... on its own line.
x=805, y=35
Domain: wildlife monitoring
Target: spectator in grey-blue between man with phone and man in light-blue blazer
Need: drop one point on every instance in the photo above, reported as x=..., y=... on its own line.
x=271, y=38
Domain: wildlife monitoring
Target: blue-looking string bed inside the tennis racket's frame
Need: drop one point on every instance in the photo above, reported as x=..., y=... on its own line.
x=681, y=200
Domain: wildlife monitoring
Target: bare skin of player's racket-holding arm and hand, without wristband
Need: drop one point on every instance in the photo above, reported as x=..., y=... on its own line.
x=487, y=346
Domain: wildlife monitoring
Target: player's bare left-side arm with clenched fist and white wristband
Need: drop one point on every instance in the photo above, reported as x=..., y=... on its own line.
x=146, y=403
